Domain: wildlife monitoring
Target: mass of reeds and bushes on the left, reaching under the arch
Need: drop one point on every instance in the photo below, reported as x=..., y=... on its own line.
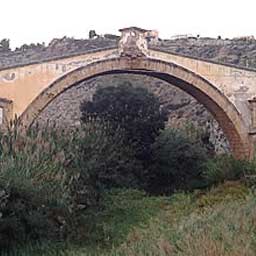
x=48, y=177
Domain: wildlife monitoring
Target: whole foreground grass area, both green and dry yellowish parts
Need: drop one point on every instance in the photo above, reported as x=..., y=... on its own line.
x=221, y=221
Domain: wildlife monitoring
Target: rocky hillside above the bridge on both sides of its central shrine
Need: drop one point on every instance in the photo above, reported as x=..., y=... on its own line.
x=241, y=51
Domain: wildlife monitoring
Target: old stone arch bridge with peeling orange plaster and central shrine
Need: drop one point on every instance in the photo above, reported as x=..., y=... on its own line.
x=227, y=91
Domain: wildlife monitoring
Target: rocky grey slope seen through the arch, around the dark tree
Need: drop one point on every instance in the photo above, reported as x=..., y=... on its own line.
x=64, y=110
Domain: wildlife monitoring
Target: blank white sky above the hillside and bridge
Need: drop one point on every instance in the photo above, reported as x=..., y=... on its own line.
x=27, y=21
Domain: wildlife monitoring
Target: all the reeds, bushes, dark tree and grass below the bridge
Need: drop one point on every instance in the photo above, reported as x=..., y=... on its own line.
x=121, y=184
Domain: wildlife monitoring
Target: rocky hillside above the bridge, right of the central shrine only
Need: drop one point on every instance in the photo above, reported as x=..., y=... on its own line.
x=240, y=52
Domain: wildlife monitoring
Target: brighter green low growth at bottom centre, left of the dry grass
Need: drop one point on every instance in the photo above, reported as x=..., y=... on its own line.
x=122, y=210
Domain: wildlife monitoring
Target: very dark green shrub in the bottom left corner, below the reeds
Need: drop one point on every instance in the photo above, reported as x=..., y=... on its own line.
x=24, y=218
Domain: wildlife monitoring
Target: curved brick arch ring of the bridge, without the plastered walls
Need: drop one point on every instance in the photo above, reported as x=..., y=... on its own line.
x=206, y=93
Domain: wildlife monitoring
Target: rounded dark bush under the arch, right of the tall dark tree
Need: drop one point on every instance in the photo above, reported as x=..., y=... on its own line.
x=177, y=163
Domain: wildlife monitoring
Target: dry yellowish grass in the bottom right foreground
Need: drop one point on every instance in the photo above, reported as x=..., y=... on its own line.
x=225, y=228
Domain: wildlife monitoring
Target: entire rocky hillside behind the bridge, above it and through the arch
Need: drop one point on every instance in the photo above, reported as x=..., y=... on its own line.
x=64, y=110
